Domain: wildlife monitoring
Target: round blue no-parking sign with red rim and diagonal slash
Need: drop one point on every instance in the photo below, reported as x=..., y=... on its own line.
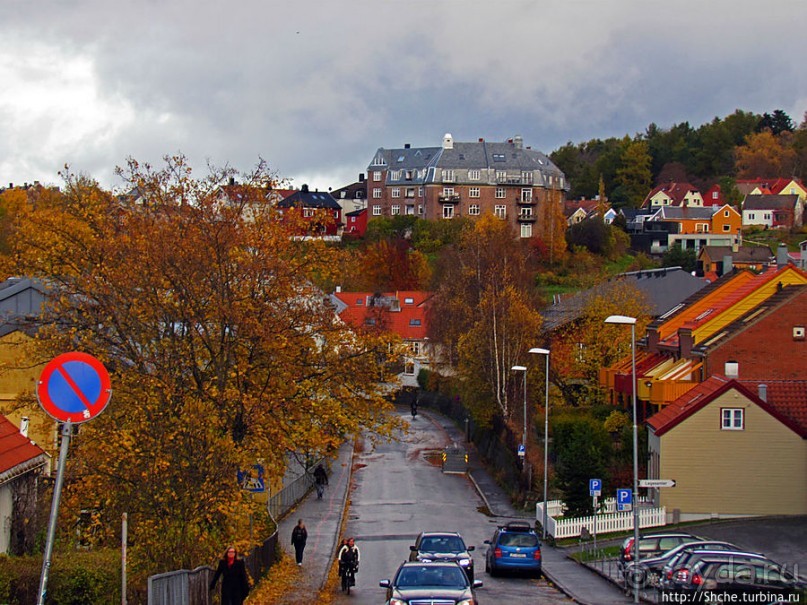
x=74, y=387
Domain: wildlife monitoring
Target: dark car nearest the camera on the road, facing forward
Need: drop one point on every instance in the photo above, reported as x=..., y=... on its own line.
x=434, y=582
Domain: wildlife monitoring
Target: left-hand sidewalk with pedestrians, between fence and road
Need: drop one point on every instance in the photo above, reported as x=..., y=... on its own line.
x=323, y=520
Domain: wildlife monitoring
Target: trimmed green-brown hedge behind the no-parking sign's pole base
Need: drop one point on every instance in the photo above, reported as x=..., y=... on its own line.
x=76, y=578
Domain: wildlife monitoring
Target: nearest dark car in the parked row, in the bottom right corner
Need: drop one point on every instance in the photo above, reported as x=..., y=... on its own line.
x=727, y=577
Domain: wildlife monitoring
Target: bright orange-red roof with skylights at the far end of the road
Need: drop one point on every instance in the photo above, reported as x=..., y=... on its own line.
x=407, y=319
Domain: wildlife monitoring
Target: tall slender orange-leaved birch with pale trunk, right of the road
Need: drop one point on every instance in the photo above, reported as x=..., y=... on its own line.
x=483, y=314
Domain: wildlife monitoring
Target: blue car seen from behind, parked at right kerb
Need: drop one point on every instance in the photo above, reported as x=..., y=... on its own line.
x=513, y=547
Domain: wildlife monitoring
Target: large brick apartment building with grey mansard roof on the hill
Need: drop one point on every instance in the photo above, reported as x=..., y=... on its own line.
x=464, y=179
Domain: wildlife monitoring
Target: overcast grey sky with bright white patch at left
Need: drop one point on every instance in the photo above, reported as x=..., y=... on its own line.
x=315, y=87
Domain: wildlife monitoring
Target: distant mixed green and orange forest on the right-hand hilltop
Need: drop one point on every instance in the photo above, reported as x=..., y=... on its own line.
x=742, y=145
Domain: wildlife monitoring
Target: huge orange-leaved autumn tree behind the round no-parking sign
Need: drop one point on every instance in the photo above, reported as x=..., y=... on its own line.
x=221, y=349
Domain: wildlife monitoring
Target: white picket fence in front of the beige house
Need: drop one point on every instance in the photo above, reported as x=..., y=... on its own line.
x=606, y=522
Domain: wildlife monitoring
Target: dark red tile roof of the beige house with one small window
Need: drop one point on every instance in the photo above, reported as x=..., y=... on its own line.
x=791, y=410
